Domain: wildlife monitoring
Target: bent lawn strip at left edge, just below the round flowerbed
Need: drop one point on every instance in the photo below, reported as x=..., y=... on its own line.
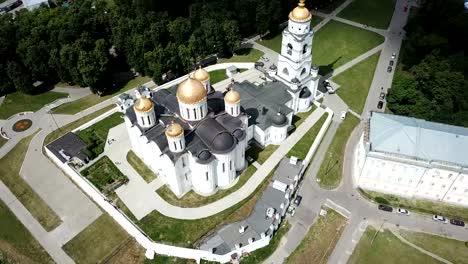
x=10, y=166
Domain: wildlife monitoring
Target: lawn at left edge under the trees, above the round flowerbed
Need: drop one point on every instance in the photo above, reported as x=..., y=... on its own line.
x=18, y=102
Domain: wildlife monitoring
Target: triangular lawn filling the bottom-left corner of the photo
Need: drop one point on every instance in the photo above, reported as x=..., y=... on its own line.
x=17, y=243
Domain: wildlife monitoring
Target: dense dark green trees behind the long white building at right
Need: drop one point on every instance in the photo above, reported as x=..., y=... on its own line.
x=432, y=84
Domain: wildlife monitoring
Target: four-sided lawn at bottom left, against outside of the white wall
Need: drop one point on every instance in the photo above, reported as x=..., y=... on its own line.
x=97, y=241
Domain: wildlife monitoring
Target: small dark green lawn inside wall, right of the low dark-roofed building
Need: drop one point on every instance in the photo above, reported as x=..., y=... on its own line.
x=95, y=136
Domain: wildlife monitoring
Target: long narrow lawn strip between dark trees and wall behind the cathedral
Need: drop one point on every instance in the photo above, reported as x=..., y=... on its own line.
x=92, y=99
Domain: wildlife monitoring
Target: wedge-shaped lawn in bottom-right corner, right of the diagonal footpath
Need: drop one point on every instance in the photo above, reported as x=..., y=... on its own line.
x=452, y=250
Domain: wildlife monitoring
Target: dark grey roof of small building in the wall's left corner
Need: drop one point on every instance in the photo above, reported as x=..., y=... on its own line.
x=70, y=144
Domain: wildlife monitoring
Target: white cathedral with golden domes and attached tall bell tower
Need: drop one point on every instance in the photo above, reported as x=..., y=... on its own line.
x=195, y=138
